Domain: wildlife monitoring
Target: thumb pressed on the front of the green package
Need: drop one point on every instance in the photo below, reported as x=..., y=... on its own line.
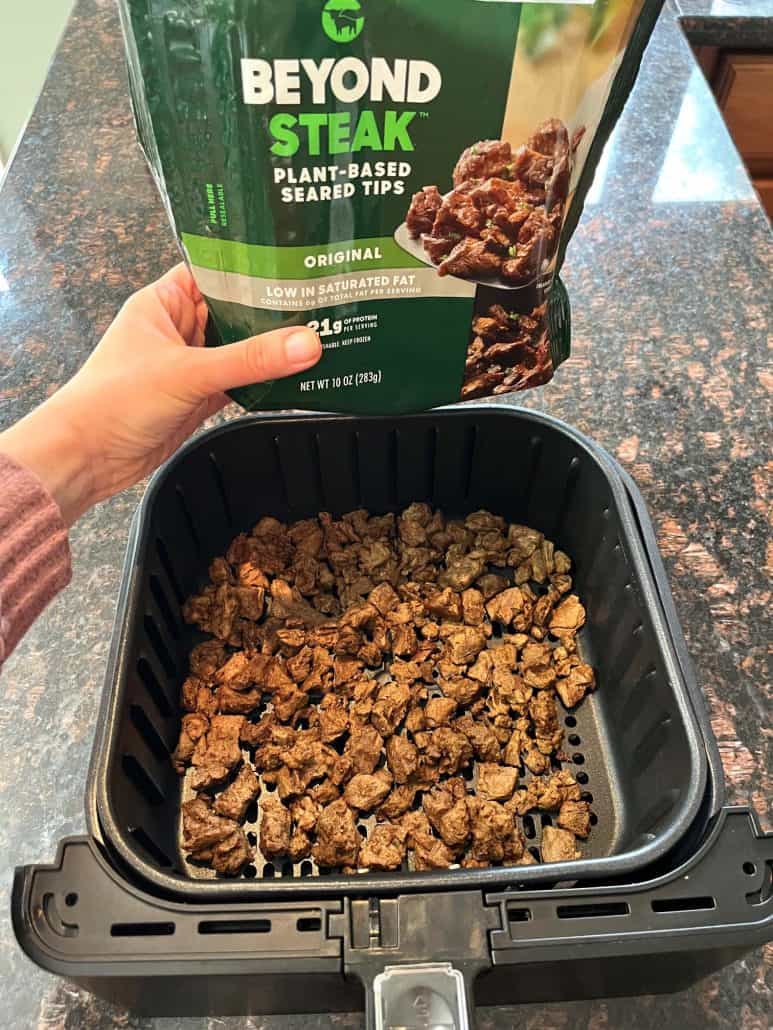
x=272, y=356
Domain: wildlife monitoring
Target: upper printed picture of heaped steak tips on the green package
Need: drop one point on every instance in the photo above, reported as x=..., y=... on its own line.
x=502, y=219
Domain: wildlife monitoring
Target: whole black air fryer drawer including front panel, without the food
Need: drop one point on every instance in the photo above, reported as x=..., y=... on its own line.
x=123, y=904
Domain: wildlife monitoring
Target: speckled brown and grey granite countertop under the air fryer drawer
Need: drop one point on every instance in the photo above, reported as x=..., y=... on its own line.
x=669, y=274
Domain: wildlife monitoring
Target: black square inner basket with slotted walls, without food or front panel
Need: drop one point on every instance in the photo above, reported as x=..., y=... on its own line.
x=638, y=749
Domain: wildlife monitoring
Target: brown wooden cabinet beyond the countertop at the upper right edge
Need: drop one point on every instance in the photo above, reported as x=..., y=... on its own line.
x=743, y=82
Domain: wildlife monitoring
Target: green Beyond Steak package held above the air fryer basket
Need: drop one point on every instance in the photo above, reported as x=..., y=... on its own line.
x=402, y=176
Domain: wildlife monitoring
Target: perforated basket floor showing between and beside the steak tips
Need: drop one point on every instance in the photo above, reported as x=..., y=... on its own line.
x=583, y=742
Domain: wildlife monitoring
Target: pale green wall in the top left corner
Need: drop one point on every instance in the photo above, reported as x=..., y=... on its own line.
x=29, y=33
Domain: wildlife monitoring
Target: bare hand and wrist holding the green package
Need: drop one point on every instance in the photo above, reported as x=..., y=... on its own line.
x=147, y=387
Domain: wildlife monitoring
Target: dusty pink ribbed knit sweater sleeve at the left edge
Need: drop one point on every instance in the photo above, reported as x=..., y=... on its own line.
x=35, y=553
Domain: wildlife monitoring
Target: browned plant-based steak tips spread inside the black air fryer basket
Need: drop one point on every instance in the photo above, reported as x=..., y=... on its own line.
x=411, y=674
